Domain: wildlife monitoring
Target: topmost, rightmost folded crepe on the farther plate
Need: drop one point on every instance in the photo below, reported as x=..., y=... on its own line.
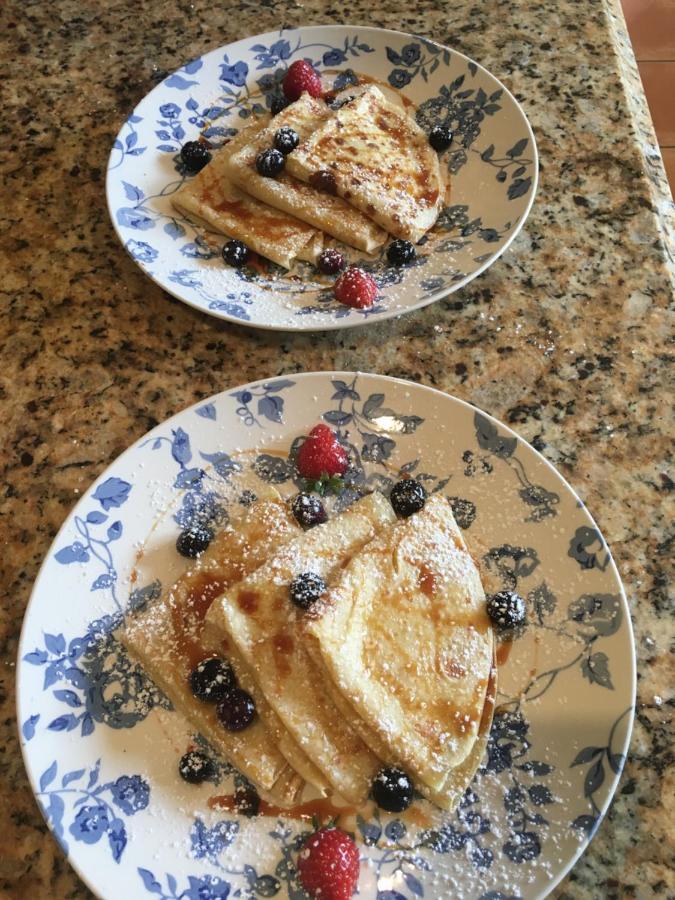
x=381, y=163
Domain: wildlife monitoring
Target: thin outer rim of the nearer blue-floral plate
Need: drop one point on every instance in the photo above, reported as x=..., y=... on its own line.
x=329, y=374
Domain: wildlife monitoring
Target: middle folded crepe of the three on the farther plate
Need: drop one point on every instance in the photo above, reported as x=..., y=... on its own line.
x=322, y=210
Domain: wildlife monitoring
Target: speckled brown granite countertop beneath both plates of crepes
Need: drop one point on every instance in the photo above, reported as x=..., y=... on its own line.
x=565, y=337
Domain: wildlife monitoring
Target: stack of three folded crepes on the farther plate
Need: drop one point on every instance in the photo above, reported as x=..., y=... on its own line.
x=384, y=179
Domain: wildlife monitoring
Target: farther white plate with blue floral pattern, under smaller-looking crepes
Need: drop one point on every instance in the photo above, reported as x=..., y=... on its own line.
x=493, y=165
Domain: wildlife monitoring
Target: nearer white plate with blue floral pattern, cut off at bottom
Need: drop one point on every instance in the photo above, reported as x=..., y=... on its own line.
x=101, y=748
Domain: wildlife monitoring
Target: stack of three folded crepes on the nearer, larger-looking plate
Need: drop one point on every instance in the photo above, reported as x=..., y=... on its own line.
x=392, y=666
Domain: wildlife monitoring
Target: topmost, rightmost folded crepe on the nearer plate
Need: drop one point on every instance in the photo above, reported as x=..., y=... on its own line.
x=405, y=638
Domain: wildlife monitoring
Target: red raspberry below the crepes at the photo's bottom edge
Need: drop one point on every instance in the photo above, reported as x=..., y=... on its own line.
x=328, y=865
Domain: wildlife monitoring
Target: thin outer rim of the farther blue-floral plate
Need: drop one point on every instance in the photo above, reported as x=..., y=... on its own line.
x=333, y=324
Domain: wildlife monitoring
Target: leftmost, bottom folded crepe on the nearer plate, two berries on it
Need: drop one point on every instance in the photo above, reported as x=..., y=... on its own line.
x=169, y=640
